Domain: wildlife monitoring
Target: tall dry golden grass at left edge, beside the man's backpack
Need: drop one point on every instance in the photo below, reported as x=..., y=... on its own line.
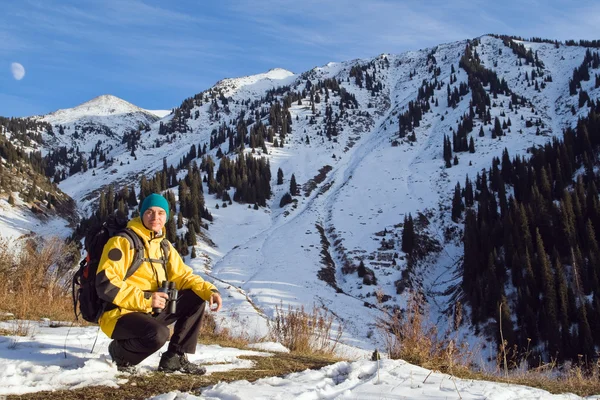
x=35, y=278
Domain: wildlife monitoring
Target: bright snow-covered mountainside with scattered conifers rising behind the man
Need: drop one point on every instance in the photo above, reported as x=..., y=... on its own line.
x=360, y=176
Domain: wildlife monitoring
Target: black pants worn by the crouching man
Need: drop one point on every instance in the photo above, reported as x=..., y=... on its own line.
x=138, y=335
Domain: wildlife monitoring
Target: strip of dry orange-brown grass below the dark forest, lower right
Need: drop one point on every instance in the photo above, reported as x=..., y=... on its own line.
x=410, y=338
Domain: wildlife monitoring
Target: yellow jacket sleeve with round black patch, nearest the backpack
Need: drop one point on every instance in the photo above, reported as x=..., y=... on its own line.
x=116, y=259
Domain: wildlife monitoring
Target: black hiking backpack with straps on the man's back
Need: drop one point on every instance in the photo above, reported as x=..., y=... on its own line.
x=85, y=297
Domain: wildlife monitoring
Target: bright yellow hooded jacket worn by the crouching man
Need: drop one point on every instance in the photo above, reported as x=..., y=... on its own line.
x=129, y=295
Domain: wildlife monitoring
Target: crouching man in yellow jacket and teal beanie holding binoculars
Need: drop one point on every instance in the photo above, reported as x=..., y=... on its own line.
x=136, y=331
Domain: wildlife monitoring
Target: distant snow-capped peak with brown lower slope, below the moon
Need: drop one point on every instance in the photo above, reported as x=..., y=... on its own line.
x=51, y=146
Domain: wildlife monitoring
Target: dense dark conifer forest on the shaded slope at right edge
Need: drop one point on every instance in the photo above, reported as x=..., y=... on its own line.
x=530, y=245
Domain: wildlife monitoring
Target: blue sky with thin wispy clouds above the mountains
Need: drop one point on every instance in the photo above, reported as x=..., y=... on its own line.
x=157, y=53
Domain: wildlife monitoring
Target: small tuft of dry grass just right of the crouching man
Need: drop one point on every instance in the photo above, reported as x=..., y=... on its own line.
x=305, y=332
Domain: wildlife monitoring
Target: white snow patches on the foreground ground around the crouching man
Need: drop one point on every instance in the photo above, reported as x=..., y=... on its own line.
x=47, y=359
